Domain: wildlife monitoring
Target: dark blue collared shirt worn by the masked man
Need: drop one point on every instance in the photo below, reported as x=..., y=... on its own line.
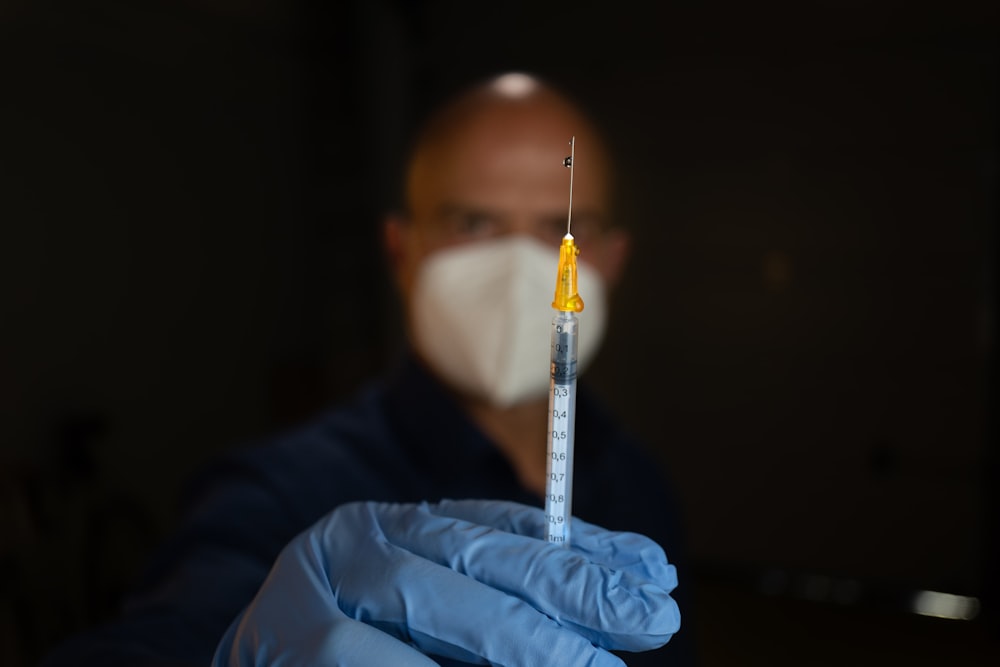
x=401, y=440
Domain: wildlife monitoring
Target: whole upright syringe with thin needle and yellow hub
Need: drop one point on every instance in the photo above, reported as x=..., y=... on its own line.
x=562, y=385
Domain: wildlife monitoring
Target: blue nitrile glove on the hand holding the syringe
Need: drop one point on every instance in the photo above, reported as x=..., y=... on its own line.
x=383, y=584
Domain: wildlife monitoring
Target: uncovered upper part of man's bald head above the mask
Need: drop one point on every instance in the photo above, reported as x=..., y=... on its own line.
x=489, y=164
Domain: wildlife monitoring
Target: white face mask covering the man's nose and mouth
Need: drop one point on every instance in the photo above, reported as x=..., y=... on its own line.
x=482, y=312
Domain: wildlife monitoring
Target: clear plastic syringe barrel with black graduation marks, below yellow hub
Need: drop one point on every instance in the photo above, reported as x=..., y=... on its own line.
x=561, y=431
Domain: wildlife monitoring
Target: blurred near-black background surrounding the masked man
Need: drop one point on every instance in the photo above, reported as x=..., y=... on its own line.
x=189, y=260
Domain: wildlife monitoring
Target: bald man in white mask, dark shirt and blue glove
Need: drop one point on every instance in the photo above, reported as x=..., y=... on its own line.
x=395, y=582
